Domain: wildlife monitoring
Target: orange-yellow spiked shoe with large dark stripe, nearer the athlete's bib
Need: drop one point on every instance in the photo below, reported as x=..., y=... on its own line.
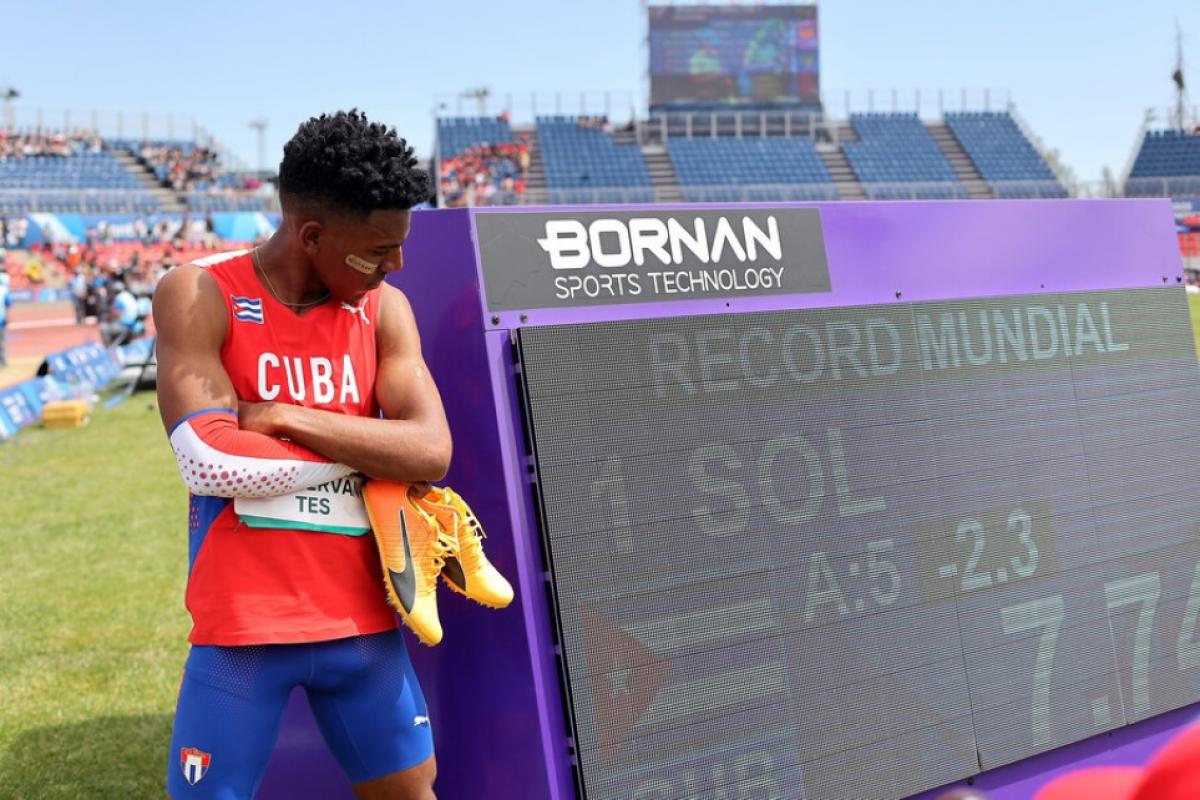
x=413, y=550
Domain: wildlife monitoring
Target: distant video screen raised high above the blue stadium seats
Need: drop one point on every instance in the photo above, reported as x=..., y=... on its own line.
x=734, y=55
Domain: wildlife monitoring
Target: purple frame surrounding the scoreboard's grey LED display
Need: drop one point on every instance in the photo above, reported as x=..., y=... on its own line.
x=494, y=684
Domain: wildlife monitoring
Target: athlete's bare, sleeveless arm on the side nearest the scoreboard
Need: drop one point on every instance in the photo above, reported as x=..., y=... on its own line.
x=412, y=444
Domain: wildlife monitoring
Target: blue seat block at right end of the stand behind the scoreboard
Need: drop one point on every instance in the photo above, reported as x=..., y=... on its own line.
x=1004, y=157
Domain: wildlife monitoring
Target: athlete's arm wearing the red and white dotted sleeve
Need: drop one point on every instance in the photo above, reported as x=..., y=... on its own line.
x=200, y=406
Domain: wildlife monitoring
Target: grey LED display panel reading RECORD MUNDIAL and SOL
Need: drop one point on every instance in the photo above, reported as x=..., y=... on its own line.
x=867, y=551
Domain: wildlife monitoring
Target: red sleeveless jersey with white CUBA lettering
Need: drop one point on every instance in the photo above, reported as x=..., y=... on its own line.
x=269, y=586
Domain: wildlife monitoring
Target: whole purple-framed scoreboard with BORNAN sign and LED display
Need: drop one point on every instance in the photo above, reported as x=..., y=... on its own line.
x=807, y=501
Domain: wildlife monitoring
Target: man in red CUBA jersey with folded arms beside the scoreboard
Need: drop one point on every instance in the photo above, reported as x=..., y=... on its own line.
x=279, y=370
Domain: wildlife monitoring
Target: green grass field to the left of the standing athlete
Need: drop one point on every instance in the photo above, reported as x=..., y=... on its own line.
x=93, y=628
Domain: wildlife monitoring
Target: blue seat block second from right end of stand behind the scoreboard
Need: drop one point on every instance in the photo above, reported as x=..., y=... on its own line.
x=896, y=149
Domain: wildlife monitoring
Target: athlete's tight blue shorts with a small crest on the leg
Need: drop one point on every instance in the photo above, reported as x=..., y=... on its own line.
x=363, y=693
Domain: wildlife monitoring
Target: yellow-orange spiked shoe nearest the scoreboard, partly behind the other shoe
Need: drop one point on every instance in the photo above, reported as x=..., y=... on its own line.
x=467, y=572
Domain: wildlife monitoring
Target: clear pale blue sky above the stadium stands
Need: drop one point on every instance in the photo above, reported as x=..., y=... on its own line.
x=1082, y=74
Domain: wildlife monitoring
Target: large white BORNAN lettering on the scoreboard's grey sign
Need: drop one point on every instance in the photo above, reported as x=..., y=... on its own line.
x=616, y=243
